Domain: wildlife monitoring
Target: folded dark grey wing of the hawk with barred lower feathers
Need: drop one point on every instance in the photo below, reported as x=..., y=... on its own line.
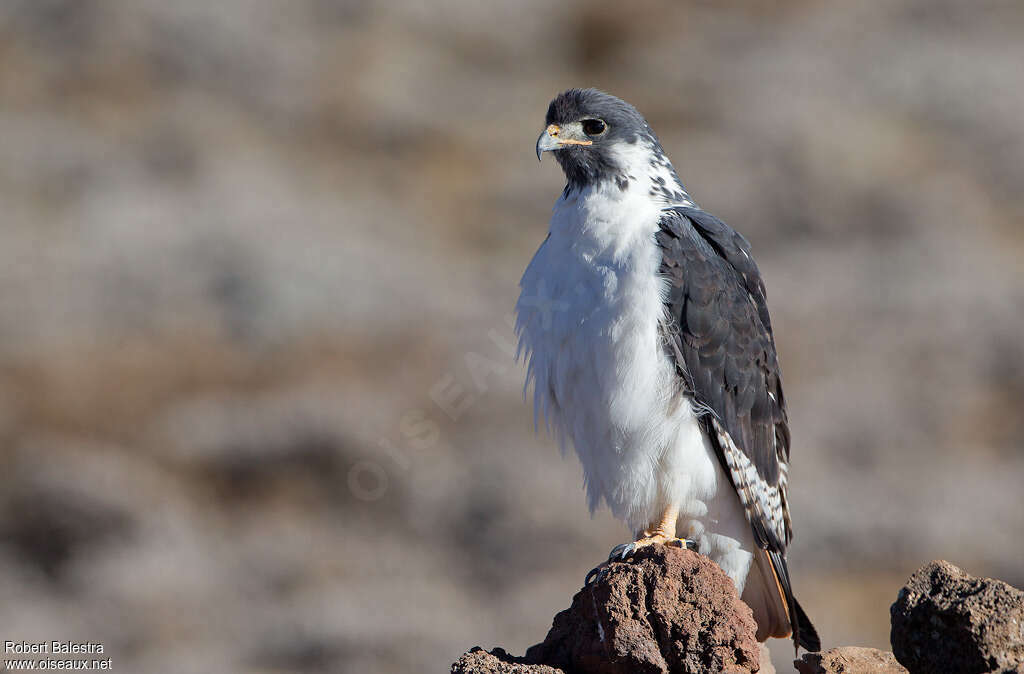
x=719, y=335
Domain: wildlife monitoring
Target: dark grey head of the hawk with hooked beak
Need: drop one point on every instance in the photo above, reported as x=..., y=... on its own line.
x=596, y=137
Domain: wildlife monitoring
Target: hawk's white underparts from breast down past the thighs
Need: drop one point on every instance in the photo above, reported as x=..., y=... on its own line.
x=588, y=320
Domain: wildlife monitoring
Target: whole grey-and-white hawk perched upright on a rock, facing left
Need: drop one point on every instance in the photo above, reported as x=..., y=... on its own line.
x=646, y=327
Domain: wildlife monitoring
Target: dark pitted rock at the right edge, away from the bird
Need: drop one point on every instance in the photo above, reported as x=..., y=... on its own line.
x=946, y=620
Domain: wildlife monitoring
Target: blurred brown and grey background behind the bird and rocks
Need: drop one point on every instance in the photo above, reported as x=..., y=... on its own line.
x=259, y=406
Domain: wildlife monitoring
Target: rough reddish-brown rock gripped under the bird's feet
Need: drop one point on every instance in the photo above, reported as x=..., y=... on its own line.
x=667, y=610
